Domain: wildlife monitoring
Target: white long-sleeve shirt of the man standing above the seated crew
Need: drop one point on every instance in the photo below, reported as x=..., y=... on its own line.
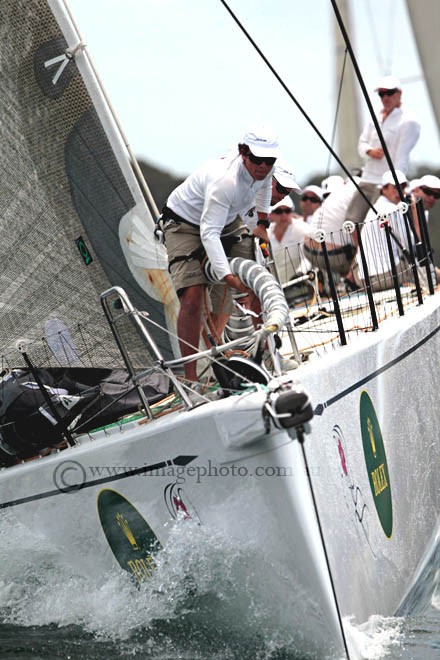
x=401, y=131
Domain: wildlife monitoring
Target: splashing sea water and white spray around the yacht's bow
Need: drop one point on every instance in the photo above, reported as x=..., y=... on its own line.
x=205, y=601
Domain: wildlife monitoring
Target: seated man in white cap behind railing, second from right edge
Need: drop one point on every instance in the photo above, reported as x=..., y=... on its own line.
x=374, y=239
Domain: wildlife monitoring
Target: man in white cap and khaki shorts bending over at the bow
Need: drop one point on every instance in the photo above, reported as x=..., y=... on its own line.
x=205, y=210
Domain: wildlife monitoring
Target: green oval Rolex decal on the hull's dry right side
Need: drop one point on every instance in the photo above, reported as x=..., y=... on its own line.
x=376, y=461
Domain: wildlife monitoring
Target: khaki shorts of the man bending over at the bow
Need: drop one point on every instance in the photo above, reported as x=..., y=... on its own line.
x=182, y=239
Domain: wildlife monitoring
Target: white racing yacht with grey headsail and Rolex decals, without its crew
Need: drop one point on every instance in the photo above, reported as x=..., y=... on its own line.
x=327, y=471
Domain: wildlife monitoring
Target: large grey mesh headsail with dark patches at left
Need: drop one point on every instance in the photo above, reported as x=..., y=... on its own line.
x=73, y=220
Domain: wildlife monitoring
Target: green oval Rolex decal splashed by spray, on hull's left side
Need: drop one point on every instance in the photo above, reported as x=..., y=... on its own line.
x=129, y=536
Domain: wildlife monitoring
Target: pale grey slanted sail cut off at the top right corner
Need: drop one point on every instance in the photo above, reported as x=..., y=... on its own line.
x=425, y=20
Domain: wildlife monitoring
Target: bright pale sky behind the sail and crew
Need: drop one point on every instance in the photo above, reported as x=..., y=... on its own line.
x=185, y=82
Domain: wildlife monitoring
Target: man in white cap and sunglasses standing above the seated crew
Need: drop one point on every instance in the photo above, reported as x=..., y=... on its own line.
x=400, y=130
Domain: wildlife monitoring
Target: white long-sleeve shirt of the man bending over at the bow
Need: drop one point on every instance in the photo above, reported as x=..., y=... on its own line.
x=213, y=196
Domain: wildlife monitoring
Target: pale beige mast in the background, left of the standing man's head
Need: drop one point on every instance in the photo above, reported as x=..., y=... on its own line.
x=348, y=125
